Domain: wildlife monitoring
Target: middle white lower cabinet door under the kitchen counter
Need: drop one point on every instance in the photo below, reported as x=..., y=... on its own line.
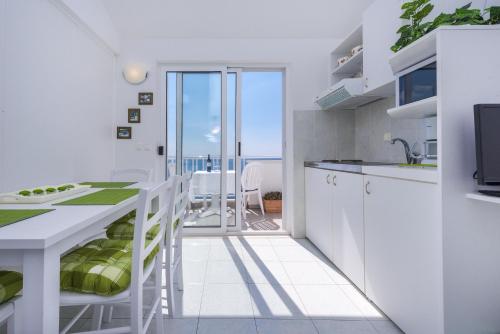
x=348, y=226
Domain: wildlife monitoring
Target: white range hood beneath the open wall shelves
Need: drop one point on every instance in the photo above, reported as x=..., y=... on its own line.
x=346, y=94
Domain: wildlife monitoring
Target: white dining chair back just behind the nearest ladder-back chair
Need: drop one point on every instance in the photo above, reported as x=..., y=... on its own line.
x=173, y=241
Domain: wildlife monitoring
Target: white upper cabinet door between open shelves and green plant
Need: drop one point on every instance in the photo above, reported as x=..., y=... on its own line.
x=380, y=23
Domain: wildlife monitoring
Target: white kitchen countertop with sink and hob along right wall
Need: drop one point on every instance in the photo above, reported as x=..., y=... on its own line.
x=421, y=174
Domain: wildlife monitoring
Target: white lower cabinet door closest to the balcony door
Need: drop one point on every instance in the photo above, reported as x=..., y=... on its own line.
x=319, y=200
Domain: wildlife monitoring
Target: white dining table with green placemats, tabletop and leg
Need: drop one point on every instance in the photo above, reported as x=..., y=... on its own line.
x=36, y=245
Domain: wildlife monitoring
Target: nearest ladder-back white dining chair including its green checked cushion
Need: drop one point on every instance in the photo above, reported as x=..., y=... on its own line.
x=124, y=267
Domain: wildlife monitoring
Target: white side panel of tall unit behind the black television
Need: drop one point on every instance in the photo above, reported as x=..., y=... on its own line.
x=471, y=229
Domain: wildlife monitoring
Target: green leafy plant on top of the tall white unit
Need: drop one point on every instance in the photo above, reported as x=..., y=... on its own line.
x=417, y=10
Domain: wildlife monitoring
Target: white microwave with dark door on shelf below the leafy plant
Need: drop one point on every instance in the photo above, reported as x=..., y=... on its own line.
x=417, y=82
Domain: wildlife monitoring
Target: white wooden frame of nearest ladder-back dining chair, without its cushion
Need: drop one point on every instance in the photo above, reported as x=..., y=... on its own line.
x=139, y=274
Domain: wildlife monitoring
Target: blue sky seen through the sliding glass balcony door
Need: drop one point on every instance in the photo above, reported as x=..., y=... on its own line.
x=261, y=122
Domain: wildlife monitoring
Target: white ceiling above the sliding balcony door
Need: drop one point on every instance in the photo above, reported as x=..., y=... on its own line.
x=235, y=18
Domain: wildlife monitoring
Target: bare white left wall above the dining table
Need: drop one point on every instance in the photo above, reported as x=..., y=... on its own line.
x=57, y=98
